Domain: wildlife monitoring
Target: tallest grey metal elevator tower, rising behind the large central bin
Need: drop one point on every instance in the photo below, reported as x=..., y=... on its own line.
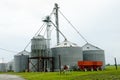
x=57, y=22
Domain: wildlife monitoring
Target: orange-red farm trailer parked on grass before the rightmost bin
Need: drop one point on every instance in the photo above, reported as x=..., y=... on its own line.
x=90, y=65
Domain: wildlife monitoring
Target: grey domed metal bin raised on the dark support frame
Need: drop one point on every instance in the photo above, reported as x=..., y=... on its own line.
x=38, y=46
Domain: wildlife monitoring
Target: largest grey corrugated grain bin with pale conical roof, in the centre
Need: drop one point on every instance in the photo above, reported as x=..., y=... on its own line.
x=70, y=53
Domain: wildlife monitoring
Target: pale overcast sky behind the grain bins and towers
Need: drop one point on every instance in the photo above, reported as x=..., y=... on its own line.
x=97, y=20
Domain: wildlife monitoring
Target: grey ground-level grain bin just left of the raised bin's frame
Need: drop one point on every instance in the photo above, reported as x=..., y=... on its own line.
x=21, y=61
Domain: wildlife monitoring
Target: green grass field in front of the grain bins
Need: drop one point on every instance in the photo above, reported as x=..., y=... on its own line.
x=109, y=74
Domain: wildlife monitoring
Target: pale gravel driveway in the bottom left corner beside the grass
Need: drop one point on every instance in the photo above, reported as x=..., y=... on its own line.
x=10, y=77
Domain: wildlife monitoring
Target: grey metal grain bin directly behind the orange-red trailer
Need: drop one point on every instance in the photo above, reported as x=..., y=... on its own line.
x=93, y=53
